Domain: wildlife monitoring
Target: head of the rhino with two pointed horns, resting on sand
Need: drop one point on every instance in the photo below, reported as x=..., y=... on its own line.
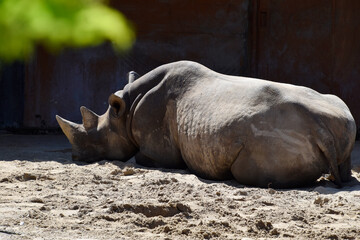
x=100, y=137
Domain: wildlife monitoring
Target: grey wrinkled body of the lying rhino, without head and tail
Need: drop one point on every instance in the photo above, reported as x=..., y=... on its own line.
x=255, y=130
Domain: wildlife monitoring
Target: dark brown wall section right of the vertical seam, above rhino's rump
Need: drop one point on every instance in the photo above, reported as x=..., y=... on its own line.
x=310, y=43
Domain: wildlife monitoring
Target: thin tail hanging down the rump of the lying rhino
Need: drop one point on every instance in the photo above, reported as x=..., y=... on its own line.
x=327, y=146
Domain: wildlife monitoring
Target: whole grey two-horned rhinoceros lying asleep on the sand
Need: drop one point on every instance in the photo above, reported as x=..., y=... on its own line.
x=259, y=132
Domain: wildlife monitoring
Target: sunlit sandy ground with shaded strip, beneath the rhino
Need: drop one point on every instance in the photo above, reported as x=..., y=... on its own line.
x=45, y=195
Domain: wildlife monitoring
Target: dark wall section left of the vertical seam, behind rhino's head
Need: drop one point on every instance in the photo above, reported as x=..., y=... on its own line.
x=211, y=32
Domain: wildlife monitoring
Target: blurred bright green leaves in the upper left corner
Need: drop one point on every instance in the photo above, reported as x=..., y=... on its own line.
x=56, y=24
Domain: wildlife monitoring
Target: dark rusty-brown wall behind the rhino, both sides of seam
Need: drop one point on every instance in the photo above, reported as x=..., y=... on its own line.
x=304, y=42
